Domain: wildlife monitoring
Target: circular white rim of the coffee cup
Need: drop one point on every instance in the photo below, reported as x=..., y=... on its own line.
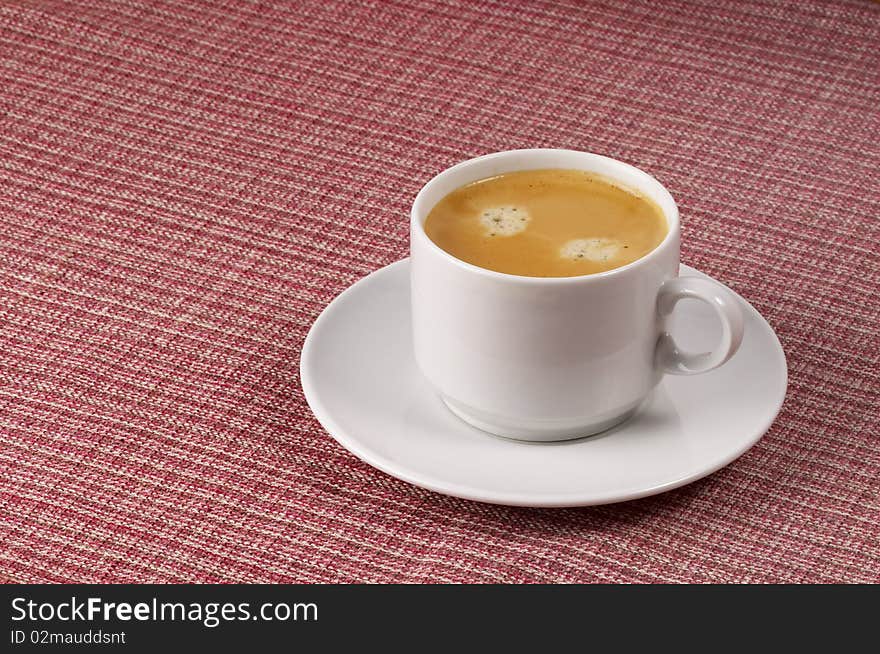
x=417, y=224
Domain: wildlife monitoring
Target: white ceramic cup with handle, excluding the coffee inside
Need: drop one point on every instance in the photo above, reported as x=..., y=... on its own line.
x=553, y=358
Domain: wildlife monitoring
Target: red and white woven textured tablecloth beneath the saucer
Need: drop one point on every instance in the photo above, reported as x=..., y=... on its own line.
x=184, y=187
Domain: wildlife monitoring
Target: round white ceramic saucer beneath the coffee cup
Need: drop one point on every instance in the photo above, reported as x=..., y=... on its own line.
x=360, y=379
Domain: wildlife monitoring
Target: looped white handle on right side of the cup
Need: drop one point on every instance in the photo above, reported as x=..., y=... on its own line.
x=677, y=362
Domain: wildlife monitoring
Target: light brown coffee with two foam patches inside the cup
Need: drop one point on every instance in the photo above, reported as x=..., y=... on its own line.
x=546, y=223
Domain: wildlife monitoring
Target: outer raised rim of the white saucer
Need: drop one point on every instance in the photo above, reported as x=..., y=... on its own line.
x=566, y=500
